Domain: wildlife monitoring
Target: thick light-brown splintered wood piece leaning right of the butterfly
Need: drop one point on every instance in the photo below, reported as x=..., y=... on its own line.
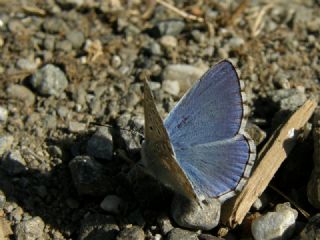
x=271, y=156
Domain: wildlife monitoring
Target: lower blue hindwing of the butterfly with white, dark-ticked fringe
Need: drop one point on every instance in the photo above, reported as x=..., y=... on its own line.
x=217, y=168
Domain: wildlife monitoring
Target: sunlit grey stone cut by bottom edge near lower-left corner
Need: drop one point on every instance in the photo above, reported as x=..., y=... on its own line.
x=30, y=229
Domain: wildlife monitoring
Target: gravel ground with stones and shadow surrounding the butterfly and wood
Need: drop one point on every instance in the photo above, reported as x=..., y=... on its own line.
x=71, y=115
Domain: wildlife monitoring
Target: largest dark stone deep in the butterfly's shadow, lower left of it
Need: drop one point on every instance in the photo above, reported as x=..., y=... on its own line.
x=89, y=176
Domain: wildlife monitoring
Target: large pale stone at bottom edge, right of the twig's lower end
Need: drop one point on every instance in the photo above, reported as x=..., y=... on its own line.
x=275, y=225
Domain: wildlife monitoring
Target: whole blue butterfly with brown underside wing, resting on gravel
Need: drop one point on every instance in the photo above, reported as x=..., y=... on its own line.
x=201, y=149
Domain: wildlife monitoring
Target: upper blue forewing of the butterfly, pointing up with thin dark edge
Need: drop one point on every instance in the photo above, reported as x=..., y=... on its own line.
x=212, y=110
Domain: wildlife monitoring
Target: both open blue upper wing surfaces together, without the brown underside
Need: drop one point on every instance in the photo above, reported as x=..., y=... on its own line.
x=206, y=130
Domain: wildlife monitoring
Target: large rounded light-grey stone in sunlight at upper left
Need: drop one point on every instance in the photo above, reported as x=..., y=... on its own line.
x=49, y=80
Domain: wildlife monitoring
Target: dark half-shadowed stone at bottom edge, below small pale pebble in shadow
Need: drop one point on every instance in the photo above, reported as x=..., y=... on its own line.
x=98, y=227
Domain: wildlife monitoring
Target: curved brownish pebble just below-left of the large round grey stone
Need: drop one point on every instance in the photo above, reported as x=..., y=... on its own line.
x=21, y=93
